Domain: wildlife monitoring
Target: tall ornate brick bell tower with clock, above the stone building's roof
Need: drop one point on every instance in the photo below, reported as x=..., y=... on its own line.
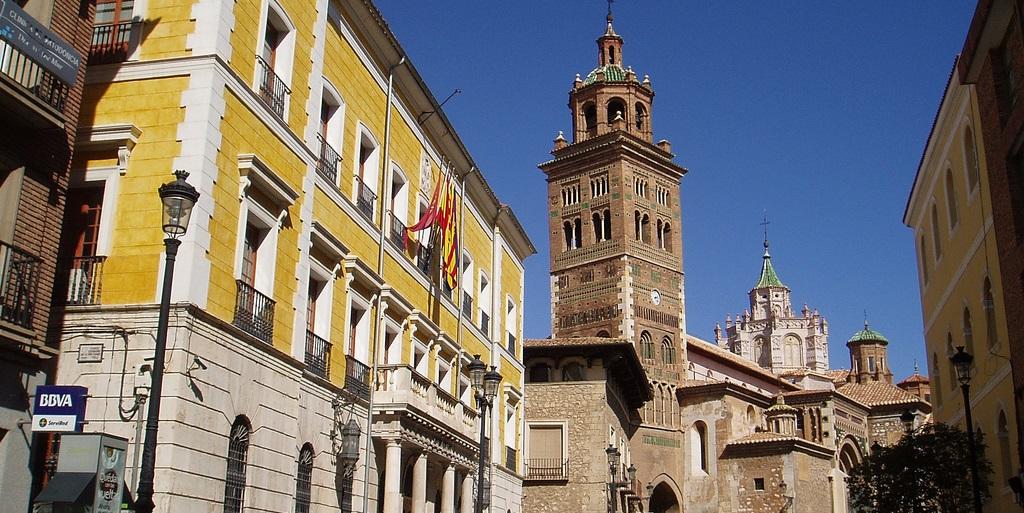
x=615, y=220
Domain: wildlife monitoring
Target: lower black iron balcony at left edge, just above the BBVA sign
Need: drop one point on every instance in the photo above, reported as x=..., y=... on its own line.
x=19, y=281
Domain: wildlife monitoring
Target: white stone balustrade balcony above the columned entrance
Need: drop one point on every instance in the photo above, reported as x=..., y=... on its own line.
x=401, y=388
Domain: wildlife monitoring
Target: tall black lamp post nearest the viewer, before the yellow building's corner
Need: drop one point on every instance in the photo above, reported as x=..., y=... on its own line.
x=178, y=198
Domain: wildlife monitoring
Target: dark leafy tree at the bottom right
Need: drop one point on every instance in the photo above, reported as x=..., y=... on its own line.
x=929, y=471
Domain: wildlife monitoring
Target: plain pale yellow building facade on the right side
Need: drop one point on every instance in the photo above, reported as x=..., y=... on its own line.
x=959, y=273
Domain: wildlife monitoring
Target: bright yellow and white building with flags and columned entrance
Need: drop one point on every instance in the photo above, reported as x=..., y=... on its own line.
x=297, y=305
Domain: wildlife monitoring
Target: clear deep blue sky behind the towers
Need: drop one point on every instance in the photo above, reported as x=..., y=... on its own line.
x=817, y=112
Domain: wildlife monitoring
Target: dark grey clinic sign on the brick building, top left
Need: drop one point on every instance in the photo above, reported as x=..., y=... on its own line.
x=40, y=45
